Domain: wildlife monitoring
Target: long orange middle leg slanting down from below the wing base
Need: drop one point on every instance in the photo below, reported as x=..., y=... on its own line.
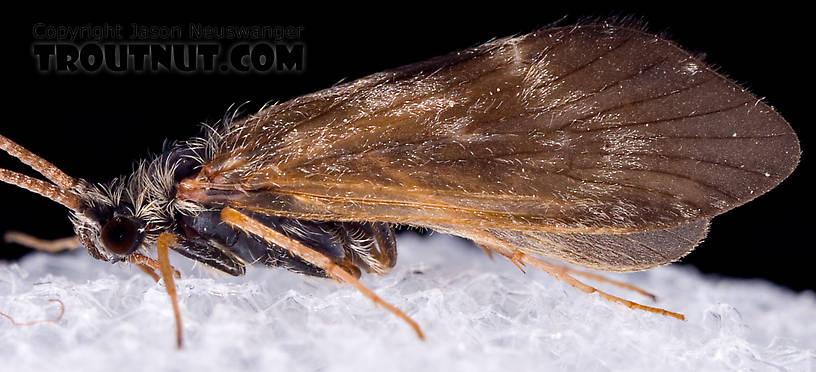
x=244, y=223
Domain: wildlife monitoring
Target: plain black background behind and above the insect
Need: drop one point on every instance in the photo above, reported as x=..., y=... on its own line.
x=94, y=126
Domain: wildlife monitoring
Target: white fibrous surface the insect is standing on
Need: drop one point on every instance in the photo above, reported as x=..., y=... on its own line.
x=478, y=315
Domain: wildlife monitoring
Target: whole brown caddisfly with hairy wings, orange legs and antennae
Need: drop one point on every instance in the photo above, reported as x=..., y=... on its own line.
x=599, y=145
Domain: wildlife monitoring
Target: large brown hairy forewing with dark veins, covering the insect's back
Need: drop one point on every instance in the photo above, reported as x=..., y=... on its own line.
x=587, y=129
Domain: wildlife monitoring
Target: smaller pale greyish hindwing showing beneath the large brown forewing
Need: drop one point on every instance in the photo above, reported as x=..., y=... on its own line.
x=609, y=252
